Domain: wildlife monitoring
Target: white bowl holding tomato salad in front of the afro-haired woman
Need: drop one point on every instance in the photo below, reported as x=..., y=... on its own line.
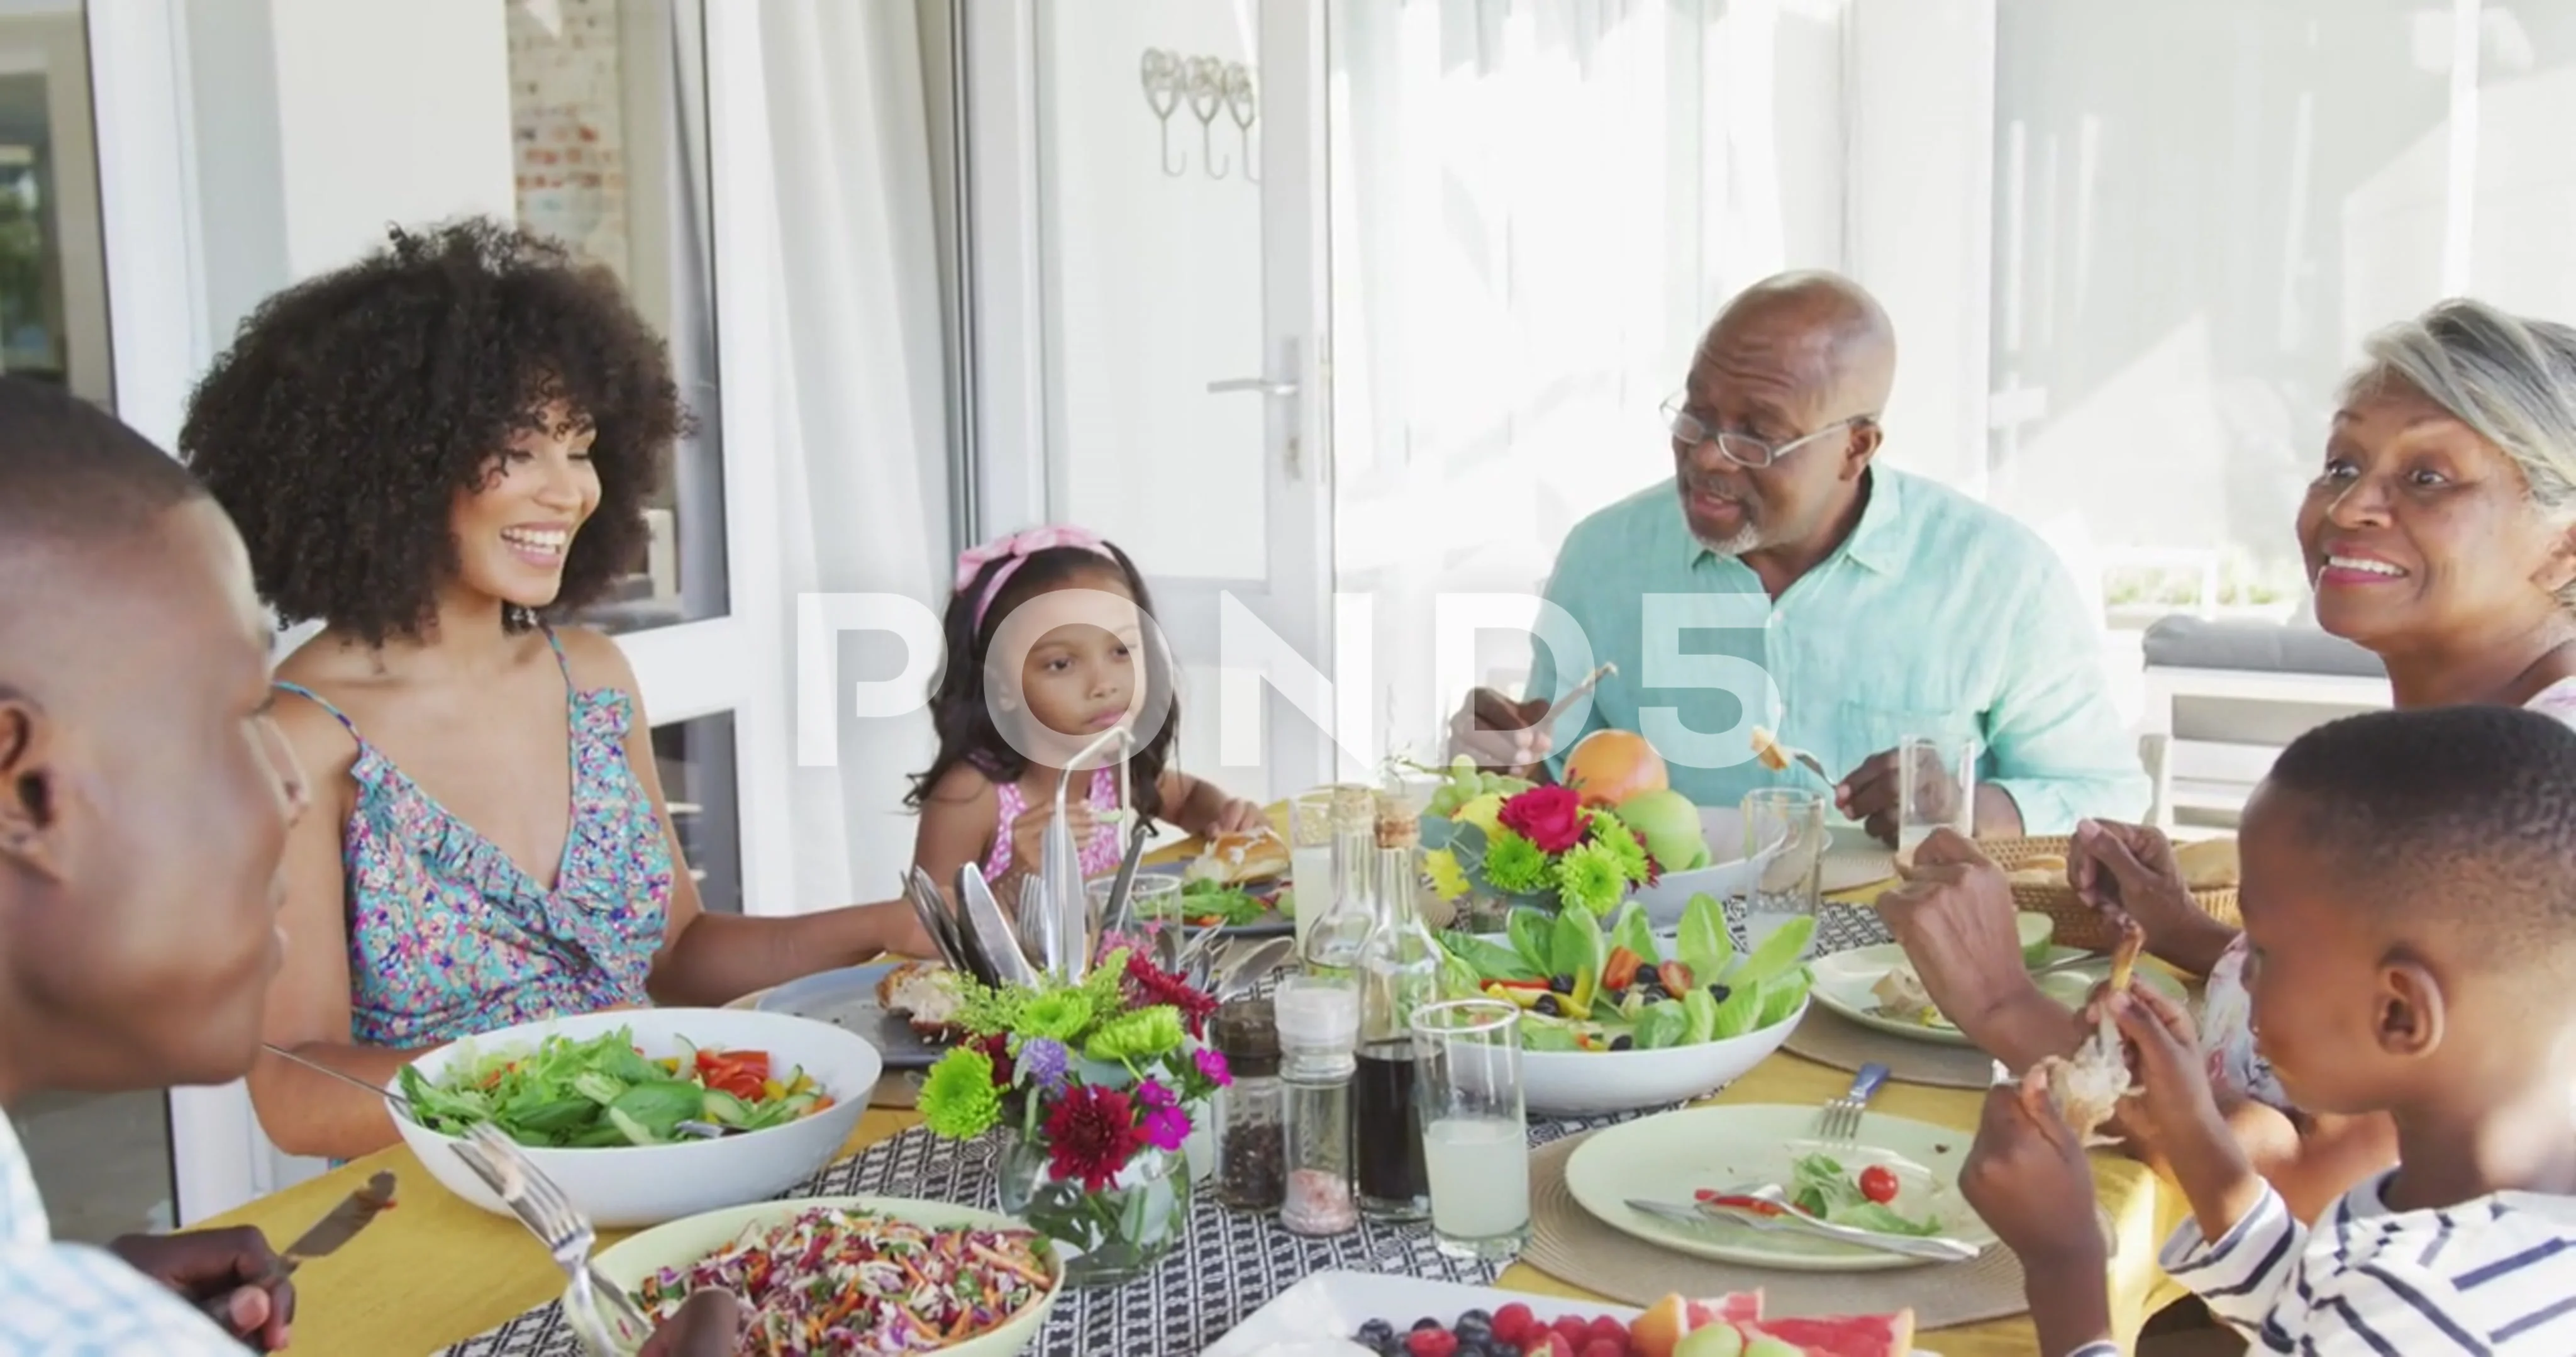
x=645, y=1186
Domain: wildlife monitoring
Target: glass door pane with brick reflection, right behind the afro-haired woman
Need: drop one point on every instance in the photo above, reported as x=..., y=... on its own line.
x=609, y=153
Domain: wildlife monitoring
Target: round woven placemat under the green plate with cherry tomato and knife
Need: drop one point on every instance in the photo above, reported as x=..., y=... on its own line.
x=1570, y=1245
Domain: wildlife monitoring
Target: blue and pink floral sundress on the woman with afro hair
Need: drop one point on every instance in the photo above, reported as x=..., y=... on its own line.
x=450, y=939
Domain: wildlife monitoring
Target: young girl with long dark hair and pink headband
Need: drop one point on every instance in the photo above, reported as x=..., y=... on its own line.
x=1052, y=645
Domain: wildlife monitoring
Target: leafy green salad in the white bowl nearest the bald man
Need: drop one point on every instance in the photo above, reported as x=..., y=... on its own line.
x=1619, y=990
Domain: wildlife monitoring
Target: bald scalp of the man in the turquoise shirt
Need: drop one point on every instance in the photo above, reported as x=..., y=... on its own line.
x=1825, y=328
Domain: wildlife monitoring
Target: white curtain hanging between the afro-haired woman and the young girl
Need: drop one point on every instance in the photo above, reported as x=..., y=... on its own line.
x=864, y=444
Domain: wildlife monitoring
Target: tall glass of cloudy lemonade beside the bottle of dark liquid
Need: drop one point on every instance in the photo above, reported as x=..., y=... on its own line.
x=1475, y=1127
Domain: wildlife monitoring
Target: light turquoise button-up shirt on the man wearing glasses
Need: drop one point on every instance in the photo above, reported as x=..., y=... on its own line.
x=1938, y=617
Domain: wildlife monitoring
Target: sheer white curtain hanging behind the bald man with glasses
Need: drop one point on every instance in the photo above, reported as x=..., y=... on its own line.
x=1537, y=207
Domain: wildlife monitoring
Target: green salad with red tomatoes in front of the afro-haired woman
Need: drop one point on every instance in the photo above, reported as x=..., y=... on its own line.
x=604, y=1093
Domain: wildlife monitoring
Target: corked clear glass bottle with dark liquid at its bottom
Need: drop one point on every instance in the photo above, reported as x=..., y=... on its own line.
x=1400, y=972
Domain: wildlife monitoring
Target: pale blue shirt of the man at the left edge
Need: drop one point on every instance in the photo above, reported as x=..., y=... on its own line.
x=81, y=1302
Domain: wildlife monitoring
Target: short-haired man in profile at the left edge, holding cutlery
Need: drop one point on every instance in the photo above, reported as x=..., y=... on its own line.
x=143, y=810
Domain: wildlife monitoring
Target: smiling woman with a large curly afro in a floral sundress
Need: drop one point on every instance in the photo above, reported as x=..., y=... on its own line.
x=434, y=452
